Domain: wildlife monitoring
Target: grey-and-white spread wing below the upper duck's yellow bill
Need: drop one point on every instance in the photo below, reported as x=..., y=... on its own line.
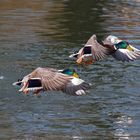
x=126, y=55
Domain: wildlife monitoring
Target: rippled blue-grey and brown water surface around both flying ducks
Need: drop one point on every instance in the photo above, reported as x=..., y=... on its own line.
x=43, y=33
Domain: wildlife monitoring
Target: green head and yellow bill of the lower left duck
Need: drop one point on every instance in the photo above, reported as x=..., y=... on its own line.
x=71, y=72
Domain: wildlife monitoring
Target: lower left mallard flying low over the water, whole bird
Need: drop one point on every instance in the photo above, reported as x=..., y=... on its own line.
x=48, y=79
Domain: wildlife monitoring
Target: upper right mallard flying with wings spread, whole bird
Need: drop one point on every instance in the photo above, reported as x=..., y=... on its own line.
x=94, y=51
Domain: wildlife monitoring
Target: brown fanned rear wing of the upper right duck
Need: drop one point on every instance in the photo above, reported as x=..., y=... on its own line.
x=98, y=51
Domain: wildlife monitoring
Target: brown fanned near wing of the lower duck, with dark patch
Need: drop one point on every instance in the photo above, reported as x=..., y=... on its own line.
x=50, y=79
